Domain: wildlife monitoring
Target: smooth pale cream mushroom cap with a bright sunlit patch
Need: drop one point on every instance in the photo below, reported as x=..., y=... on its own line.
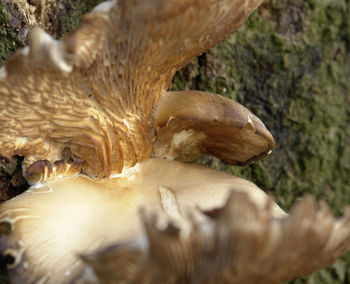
x=51, y=225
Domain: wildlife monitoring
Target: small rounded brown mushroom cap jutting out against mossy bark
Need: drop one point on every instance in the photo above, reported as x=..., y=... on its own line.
x=190, y=122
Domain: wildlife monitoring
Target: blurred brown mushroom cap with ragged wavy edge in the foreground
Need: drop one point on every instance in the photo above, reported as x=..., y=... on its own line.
x=240, y=244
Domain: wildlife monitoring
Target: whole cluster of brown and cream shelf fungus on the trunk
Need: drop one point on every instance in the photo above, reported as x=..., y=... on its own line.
x=102, y=138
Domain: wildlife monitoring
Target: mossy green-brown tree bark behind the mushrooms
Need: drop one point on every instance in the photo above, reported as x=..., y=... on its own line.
x=289, y=64
